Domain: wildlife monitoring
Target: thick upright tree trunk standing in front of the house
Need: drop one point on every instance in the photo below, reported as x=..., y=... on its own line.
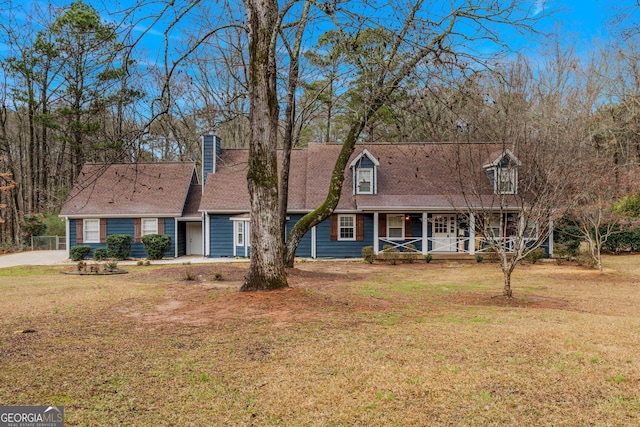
x=266, y=270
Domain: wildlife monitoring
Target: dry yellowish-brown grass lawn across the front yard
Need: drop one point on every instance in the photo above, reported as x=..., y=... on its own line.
x=349, y=344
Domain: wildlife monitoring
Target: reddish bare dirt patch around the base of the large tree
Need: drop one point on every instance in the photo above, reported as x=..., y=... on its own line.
x=210, y=294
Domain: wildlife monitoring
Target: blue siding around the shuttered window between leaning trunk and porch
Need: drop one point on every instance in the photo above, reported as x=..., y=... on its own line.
x=327, y=248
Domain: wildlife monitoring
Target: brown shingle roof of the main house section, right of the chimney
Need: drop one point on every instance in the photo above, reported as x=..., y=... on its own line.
x=410, y=175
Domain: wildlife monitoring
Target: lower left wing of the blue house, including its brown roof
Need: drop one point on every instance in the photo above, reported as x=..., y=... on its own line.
x=136, y=199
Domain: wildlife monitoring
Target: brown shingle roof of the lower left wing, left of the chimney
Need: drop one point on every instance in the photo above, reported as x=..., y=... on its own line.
x=130, y=189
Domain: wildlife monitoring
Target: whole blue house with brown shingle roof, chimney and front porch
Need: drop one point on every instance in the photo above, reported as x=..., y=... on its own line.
x=428, y=195
